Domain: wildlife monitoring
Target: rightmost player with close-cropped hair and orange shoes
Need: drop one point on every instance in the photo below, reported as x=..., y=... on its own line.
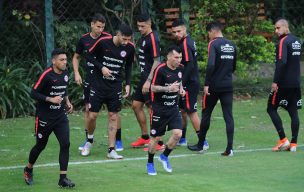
x=285, y=89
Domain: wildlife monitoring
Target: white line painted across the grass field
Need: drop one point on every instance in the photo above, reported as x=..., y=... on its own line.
x=135, y=159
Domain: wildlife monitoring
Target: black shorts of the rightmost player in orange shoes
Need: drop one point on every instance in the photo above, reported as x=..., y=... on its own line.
x=286, y=98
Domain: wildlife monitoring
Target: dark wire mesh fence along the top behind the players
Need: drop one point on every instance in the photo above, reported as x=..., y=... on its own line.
x=23, y=31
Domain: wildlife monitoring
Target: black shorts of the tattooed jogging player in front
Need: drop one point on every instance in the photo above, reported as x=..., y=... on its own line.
x=159, y=120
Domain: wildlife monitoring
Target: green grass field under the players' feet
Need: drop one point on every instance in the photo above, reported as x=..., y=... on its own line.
x=253, y=168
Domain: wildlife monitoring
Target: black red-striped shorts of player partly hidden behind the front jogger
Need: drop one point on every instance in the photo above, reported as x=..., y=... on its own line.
x=189, y=101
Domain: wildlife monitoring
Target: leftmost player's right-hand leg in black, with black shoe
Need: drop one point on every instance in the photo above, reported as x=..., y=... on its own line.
x=62, y=133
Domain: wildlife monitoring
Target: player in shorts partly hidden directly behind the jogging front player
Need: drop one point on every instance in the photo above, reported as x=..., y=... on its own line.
x=188, y=104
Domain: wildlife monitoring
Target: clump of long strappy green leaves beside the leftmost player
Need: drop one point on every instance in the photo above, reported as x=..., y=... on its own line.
x=15, y=90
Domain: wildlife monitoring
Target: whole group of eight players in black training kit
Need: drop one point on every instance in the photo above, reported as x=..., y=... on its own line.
x=168, y=88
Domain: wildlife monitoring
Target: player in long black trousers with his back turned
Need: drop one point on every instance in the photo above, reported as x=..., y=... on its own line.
x=218, y=85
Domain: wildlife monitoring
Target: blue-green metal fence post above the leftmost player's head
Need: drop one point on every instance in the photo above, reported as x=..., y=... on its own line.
x=49, y=30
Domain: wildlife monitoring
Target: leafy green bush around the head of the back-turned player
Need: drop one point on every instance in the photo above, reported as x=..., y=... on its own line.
x=242, y=27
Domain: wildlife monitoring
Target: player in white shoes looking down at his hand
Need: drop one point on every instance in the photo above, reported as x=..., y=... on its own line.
x=109, y=56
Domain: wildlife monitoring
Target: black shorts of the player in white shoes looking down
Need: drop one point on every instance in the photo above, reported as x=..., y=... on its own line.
x=112, y=99
